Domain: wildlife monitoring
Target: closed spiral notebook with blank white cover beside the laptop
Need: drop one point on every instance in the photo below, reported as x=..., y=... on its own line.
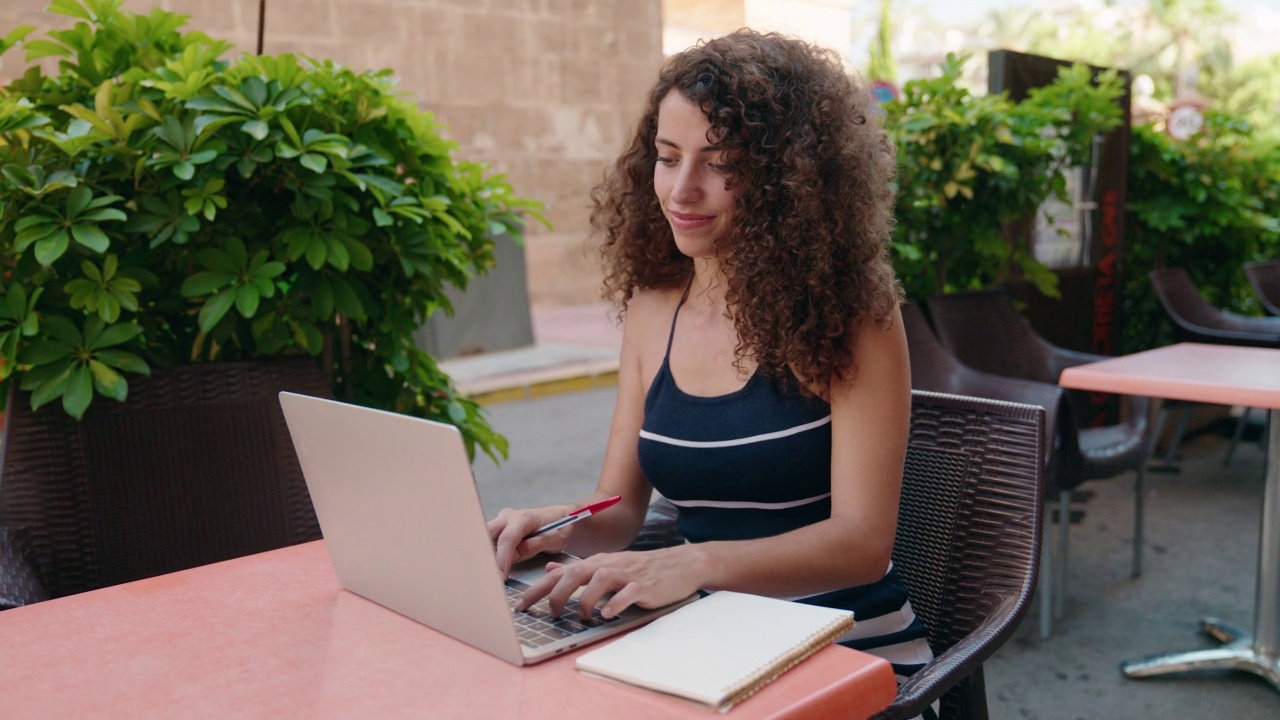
x=720, y=650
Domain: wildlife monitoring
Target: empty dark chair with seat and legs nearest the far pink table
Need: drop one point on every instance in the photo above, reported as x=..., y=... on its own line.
x=985, y=331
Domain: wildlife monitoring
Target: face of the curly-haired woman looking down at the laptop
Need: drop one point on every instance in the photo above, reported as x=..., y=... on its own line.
x=689, y=179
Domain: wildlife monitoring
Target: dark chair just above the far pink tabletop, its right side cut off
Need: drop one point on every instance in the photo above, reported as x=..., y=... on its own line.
x=1196, y=321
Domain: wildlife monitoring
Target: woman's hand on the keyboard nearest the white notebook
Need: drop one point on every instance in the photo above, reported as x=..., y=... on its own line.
x=648, y=580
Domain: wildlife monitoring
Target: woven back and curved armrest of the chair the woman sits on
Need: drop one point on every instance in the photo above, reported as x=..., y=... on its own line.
x=968, y=537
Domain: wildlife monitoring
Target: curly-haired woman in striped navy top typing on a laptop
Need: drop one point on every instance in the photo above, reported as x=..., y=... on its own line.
x=764, y=384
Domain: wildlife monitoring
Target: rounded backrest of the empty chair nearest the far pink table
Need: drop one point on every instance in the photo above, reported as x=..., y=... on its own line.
x=986, y=332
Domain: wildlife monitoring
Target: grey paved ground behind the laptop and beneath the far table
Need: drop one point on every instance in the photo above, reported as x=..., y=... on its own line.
x=1203, y=526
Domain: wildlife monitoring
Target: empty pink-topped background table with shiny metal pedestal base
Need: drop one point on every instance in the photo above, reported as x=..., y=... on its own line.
x=1228, y=376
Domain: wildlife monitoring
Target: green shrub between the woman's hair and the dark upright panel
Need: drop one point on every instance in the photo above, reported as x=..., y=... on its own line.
x=972, y=165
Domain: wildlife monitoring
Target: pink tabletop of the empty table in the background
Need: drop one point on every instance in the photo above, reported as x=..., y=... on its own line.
x=1199, y=373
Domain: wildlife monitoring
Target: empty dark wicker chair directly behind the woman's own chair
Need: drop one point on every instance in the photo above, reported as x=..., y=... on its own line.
x=935, y=370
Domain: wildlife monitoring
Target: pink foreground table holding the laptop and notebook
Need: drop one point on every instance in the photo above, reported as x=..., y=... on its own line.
x=273, y=636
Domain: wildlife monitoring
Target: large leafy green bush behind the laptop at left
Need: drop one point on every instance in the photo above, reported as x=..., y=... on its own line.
x=161, y=206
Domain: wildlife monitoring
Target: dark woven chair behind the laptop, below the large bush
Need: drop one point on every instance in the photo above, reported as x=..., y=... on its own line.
x=195, y=468
